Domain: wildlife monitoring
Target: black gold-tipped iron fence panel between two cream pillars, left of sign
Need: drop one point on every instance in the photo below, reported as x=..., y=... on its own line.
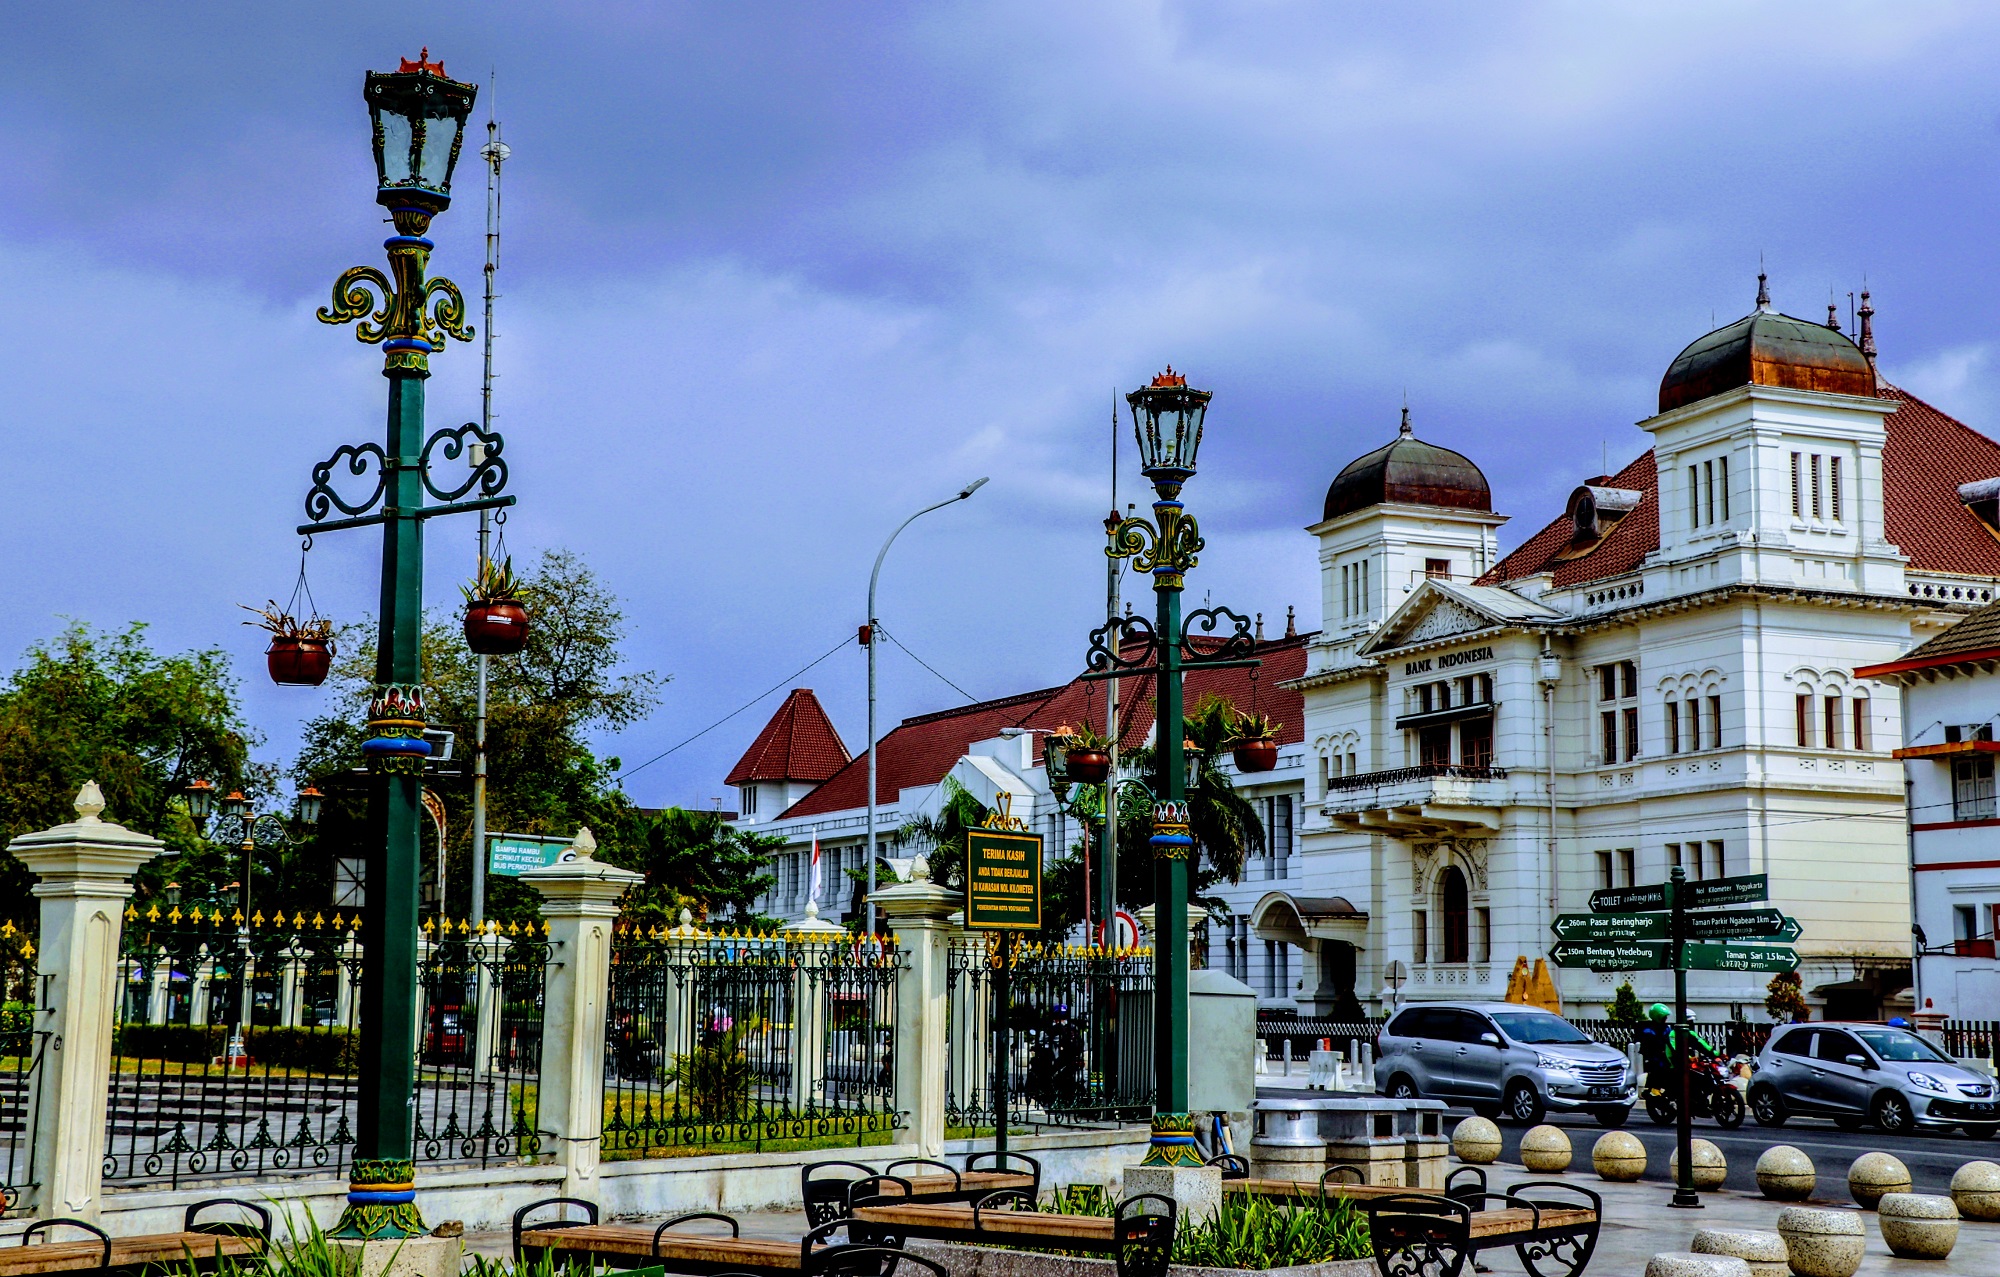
x=741, y=1042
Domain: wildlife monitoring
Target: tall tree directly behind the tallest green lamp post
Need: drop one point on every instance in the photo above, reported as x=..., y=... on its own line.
x=543, y=710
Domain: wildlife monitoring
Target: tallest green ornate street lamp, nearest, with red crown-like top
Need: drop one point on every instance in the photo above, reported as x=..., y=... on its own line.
x=419, y=127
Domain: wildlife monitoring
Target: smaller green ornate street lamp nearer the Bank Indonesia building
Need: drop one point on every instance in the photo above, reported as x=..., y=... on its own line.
x=1169, y=423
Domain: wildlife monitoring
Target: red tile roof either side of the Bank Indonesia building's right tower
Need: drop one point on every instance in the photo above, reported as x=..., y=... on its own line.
x=1925, y=457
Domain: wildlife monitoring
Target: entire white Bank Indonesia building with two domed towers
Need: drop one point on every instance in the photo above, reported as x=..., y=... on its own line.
x=1663, y=676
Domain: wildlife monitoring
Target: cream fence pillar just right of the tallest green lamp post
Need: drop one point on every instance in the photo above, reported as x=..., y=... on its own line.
x=581, y=906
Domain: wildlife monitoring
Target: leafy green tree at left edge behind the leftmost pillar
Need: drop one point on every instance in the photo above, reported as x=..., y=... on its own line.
x=101, y=706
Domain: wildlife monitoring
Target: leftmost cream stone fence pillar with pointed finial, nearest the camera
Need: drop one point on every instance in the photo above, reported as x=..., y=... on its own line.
x=85, y=872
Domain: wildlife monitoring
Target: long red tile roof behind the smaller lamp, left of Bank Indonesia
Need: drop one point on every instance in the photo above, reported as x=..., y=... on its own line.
x=921, y=752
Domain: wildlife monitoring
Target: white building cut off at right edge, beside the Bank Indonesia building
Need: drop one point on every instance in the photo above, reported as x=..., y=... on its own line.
x=1951, y=704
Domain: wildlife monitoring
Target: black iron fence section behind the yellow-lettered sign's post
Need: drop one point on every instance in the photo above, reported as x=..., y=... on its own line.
x=1079, y=1028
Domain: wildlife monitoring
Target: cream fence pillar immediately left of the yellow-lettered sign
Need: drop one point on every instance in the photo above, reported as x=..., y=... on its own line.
x=917, y=914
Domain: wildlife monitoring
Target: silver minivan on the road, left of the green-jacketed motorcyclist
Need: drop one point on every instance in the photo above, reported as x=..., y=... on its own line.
x=1503, y=1060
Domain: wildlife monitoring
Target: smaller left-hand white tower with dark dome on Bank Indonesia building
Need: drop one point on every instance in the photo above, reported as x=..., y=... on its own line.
x=1393, y=517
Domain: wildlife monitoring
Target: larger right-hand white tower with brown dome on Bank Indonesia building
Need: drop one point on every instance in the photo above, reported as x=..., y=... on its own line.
x=1769, y=449
